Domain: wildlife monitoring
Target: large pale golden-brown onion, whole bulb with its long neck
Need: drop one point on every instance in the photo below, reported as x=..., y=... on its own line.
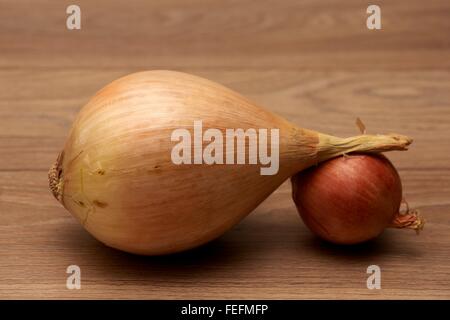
x=115, y=173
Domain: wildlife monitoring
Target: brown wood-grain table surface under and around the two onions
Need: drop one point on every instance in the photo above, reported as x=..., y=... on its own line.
x=313, y=62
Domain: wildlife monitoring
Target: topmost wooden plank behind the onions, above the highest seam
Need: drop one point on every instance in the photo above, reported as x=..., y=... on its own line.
x=228, y=34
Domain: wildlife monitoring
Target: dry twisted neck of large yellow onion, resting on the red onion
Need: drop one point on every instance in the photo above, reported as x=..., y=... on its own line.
x=330, y=146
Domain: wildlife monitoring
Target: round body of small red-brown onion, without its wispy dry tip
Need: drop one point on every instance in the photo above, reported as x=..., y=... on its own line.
x=348, y=200
